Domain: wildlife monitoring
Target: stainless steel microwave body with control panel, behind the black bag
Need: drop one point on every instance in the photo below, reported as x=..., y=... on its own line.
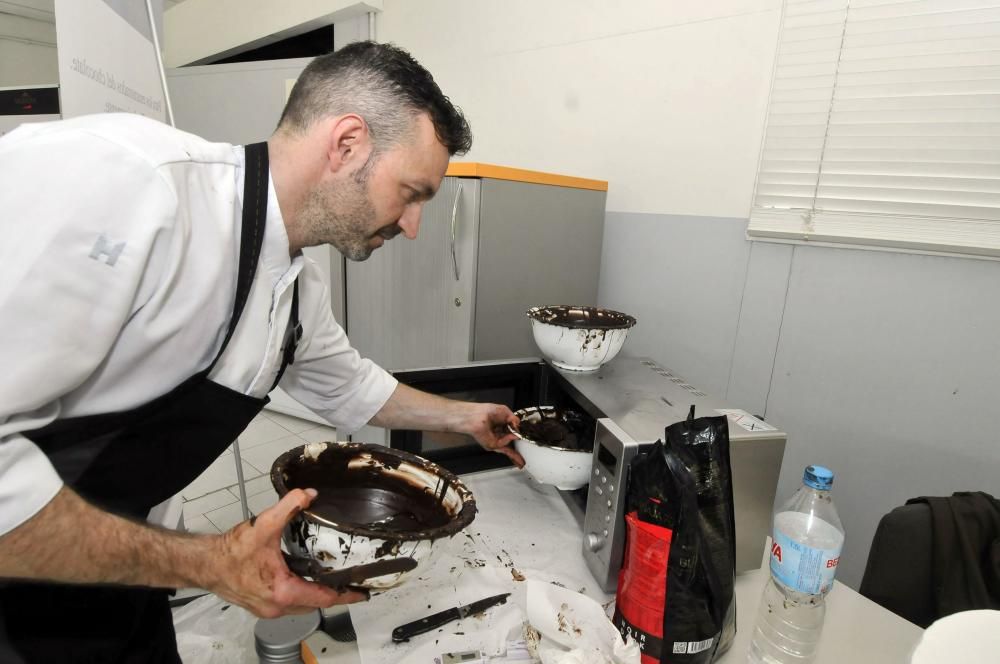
x=640, y=399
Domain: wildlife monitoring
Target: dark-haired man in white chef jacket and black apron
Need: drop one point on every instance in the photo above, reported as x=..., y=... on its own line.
x=152, y=291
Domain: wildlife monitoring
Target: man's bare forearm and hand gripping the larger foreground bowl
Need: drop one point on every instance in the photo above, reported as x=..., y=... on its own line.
x=72, y=541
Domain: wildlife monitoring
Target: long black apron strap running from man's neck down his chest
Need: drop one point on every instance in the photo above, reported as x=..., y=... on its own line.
x=252, y=231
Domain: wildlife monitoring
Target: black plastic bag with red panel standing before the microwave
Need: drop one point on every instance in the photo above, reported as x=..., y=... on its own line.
x=675, y=590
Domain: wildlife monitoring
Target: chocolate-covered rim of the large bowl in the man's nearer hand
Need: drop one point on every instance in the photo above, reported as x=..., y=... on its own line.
x=458, y=523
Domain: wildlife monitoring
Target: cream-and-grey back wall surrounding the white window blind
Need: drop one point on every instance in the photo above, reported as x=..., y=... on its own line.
x=884, y=366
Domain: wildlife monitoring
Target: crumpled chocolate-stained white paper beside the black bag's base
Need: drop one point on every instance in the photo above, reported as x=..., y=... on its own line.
x=575, y=629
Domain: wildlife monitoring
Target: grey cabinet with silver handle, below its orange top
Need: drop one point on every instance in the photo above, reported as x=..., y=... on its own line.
x=488, y=249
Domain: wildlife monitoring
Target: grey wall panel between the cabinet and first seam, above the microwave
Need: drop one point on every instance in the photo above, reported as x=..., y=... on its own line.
x=682, y=278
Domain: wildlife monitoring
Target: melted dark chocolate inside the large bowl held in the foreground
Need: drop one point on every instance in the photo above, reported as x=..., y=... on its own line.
x=364, y=496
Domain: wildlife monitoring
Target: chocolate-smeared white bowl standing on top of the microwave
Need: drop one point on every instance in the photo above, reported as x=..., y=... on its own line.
x=579, y=338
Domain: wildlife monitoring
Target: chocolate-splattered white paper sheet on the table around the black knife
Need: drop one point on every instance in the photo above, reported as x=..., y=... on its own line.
x=522, y=531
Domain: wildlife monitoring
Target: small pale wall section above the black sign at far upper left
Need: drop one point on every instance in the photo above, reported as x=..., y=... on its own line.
x=27, y=52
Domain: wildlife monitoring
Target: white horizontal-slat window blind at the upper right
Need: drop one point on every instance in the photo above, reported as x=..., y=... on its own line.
x=883, y=126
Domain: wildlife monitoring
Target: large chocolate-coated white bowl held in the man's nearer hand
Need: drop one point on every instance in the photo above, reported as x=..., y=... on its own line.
x=374, y=503
